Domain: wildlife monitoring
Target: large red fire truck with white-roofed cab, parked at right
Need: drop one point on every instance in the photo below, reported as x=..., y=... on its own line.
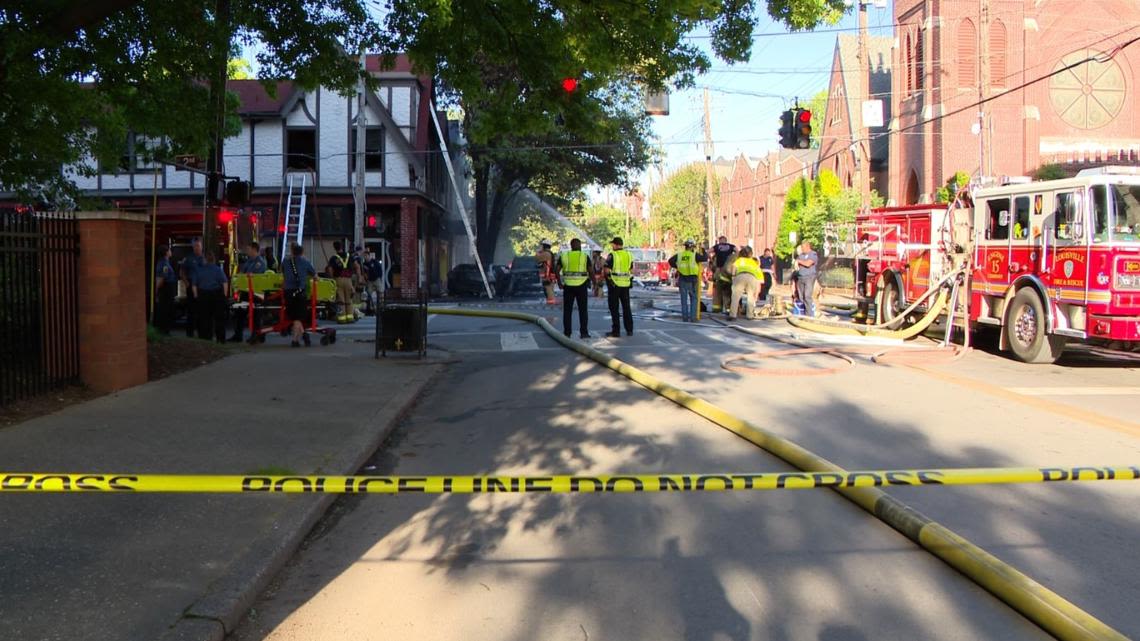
x=1049, y=263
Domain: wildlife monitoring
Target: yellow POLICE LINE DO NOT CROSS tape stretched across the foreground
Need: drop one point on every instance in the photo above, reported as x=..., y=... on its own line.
x=558, y=484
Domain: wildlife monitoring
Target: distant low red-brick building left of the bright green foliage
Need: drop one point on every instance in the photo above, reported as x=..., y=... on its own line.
x=753, y=196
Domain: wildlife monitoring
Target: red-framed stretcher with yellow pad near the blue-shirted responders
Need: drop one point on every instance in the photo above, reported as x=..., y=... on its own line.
x=265, y=294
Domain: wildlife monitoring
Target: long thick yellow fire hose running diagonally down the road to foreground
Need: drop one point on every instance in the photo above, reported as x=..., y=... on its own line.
x=1040, y=605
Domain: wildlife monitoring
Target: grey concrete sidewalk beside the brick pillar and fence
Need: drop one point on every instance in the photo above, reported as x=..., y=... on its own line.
x=186, y=567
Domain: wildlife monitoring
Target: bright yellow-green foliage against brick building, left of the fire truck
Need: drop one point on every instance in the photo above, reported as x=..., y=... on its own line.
x=810, y=206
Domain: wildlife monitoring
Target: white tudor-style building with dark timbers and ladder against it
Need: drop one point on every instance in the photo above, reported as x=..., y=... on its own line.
x=297, y=133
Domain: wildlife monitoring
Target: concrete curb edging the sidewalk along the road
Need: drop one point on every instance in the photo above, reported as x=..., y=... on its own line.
x=225, y=603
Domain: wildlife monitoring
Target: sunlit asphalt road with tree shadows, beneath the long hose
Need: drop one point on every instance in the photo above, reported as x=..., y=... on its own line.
x=803, y=565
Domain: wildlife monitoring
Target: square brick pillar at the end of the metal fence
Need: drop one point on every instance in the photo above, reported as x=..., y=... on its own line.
x=112, y=301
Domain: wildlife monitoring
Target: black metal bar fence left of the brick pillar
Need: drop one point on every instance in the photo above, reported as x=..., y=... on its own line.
x=39, y=304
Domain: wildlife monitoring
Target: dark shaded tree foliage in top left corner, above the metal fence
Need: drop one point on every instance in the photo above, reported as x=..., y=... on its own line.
x=150, y=67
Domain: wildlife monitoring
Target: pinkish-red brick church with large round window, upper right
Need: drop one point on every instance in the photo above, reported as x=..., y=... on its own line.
x=1087, y=116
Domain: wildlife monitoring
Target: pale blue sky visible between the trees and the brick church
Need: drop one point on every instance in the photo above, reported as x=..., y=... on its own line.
x=746, y=100
